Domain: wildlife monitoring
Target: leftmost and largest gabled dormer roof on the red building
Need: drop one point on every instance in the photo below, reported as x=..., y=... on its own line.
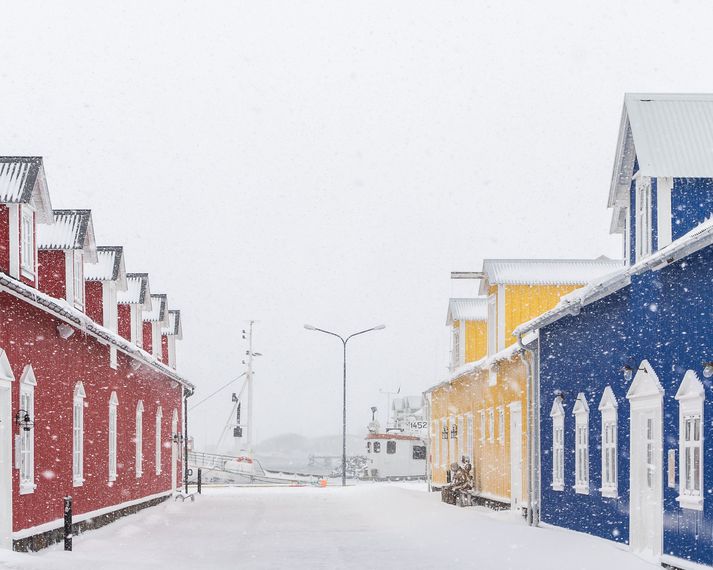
x=22, y=181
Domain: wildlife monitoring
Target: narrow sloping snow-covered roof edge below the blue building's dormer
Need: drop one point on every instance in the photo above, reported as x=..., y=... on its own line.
x=698, y=238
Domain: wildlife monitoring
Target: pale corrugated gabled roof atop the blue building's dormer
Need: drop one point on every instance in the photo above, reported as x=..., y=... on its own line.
x=671, y=135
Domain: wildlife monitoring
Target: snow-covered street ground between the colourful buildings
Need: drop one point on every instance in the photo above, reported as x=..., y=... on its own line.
x=365, y=526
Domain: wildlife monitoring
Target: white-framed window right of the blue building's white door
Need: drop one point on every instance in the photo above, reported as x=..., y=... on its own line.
x=690, y=396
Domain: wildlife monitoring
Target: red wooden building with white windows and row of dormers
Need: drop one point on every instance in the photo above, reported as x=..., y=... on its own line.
x=90, y=401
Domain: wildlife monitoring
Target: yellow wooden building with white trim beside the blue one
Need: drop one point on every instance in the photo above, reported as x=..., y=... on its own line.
x=479, y=411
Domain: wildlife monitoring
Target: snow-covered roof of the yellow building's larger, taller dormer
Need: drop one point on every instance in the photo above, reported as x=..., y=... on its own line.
x=545, y=271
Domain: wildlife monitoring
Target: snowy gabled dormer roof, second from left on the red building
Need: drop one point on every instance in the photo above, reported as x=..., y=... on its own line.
x=71, y=229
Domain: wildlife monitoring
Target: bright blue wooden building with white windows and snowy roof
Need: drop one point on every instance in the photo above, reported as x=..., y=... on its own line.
x=625, y=371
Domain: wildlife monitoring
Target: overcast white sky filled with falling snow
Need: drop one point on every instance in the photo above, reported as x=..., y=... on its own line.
x=331, y=162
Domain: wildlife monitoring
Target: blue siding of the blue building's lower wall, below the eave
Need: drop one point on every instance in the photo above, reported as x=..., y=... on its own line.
x=665, y=317
